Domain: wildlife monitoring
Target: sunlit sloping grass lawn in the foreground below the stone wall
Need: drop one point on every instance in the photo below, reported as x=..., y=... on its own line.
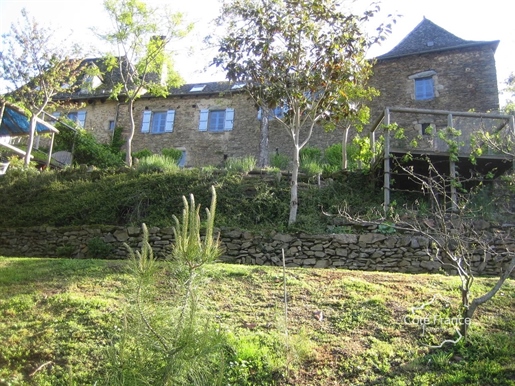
x=59, y=316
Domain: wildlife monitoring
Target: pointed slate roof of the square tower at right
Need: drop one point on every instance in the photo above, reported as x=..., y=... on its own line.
x=428, y=37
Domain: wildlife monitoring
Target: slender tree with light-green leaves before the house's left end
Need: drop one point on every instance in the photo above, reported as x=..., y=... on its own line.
x=141, y=35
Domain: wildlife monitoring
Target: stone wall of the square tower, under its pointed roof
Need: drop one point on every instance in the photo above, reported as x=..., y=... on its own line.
x=464, y=80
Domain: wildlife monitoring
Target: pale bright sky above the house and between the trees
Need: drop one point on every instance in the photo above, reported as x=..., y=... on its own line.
x=467, y=19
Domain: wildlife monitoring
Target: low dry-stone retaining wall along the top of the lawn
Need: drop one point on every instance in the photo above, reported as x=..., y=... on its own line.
x=367, y=251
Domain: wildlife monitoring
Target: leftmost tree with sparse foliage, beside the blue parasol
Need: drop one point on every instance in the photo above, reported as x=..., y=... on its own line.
x=36, y=68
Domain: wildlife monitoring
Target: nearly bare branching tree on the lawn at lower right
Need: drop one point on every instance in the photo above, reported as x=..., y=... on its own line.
x=459, y=238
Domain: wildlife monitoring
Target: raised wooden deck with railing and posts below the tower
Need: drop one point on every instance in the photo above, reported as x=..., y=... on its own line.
x=386, y=119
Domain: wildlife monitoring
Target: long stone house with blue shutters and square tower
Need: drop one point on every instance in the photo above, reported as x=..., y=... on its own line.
x=429, y=69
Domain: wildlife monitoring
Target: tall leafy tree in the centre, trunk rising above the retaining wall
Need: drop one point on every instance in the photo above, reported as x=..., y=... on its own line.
x=295, y=54
